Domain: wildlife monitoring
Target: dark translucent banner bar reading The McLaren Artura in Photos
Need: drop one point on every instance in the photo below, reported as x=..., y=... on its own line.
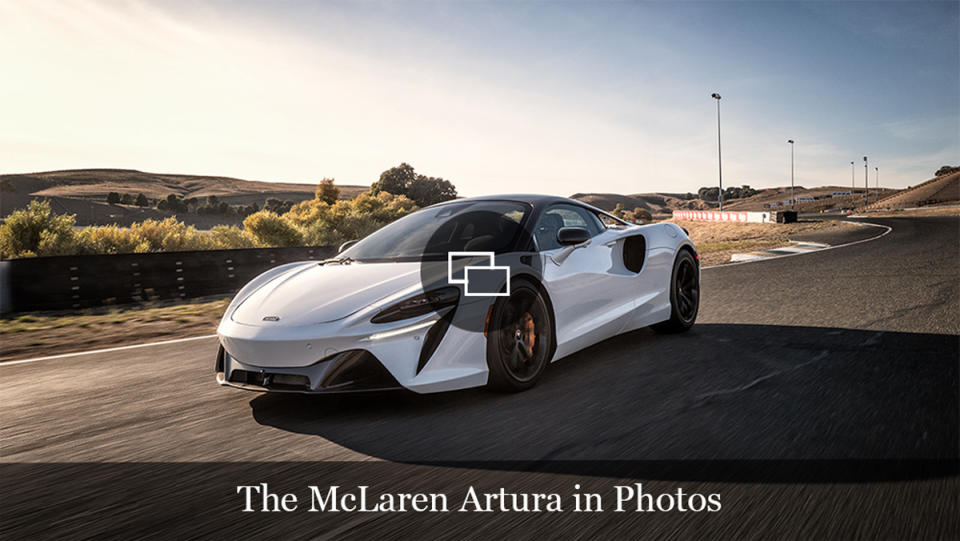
x=307, y=500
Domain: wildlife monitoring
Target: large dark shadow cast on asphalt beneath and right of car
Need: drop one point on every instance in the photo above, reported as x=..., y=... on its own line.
x=737, y=402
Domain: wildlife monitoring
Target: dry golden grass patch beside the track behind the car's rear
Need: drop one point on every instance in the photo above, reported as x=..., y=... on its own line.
x=716, y=242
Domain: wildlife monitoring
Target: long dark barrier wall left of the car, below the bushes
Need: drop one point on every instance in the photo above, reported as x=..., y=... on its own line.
x=66, y=282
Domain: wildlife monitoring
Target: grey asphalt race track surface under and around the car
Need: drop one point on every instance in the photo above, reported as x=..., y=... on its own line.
x=818, y=394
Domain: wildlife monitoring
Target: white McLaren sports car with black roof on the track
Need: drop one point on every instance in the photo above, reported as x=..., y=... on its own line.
x=471, y=292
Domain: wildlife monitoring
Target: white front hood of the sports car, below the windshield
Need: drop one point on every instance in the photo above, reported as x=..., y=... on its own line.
x=317, y=293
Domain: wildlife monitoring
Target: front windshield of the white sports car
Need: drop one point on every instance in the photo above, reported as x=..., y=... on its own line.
x=482, y=226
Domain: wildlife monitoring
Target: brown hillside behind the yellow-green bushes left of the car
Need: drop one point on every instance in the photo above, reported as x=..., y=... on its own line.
x=84, y=192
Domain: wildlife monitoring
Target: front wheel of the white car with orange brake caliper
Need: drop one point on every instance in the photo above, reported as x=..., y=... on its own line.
x=519, y=339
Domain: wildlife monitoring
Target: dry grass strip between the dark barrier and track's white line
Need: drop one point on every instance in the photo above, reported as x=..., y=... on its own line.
x=36, y=335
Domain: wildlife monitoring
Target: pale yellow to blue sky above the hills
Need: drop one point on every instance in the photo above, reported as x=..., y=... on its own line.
x=497, y=97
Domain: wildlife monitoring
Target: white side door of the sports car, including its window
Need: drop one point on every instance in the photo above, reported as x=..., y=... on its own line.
x=588, y=299
